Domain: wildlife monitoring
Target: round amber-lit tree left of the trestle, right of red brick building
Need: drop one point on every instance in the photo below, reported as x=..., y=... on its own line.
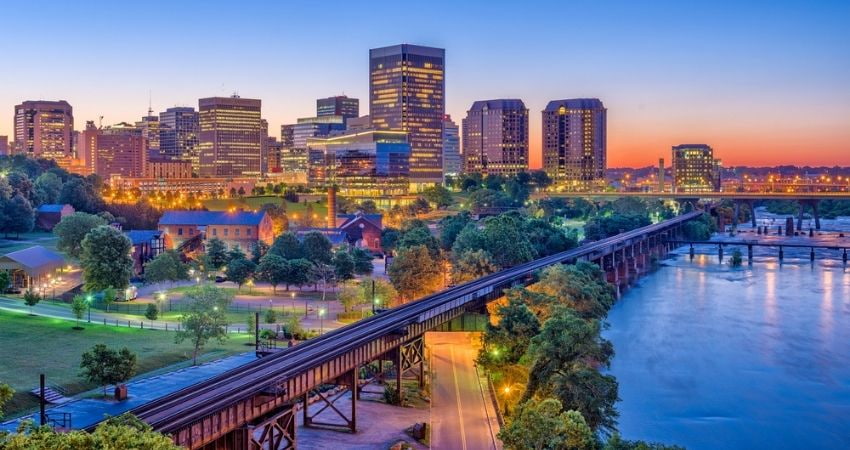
x=414, y=273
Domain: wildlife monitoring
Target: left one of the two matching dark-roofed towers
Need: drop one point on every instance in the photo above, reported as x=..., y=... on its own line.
x=495, y=137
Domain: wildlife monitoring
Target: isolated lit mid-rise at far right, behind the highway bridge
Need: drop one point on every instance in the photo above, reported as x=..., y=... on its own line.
x=695, y=169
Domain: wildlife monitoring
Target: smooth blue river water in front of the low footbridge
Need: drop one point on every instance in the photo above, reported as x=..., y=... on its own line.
x=711, y=357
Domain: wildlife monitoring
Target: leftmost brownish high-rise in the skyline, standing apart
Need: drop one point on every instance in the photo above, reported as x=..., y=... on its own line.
x=43, y=129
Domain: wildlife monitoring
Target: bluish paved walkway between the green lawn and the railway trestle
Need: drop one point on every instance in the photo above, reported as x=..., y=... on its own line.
x=87, y=411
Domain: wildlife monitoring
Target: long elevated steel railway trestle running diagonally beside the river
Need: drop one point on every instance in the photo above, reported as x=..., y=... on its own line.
x=253, y=406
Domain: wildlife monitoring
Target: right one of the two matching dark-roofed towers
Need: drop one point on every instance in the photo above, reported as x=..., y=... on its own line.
x=574, y=142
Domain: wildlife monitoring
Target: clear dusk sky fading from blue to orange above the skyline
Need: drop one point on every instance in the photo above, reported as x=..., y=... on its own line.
x=762, y=82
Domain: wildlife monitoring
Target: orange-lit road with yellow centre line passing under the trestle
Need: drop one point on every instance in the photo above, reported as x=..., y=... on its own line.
x=462, y=413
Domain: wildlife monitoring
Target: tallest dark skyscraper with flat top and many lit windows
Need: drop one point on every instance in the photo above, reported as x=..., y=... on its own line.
x=407, y=93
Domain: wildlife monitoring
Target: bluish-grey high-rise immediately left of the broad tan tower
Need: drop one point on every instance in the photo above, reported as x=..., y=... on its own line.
x=179, y=131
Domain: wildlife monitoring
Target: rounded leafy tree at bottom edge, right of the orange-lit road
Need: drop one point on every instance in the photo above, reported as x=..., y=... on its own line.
x=544, y=425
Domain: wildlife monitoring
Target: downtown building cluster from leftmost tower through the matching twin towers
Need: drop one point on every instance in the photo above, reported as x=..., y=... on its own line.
x=405, y=143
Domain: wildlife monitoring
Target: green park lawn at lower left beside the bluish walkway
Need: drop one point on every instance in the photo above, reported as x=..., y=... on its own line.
x=33, y=345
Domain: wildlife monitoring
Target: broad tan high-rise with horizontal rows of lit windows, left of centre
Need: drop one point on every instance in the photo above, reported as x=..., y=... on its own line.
x=232, y=137
